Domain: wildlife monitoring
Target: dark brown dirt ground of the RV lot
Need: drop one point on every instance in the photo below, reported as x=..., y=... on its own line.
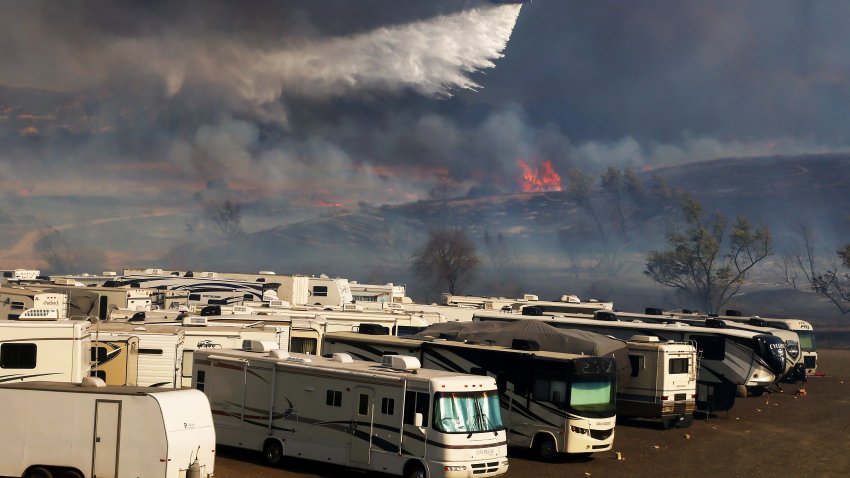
x=781, y=433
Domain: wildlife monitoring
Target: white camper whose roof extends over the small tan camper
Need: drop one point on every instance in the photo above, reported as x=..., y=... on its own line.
x=160, y=350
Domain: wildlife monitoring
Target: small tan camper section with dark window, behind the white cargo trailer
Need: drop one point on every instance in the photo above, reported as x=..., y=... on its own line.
x=116, y=360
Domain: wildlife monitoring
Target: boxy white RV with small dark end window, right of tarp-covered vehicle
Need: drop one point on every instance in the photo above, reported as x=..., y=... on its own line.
x=662, y=383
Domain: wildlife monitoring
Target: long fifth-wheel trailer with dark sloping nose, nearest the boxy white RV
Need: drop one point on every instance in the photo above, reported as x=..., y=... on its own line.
x=728, y=357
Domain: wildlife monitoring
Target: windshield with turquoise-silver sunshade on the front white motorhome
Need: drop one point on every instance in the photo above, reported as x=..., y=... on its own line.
x=467, y=412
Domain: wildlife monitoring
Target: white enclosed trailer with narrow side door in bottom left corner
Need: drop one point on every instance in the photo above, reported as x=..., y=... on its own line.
x=91, y=430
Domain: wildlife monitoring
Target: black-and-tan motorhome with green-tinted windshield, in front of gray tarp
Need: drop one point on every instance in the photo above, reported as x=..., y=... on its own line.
x=551, y=402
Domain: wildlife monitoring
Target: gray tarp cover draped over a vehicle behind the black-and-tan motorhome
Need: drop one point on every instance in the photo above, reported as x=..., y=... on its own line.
x=547, y=337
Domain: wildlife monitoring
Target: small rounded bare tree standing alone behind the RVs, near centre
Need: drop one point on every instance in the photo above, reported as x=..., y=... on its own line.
x=447, y=260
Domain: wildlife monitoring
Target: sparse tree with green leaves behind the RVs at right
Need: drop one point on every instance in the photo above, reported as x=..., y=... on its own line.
x=694, y=264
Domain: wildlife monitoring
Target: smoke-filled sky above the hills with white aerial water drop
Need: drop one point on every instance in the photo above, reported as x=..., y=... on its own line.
x=320, y=104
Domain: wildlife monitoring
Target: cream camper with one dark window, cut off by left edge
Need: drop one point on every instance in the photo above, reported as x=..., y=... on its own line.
x=54, y=350
